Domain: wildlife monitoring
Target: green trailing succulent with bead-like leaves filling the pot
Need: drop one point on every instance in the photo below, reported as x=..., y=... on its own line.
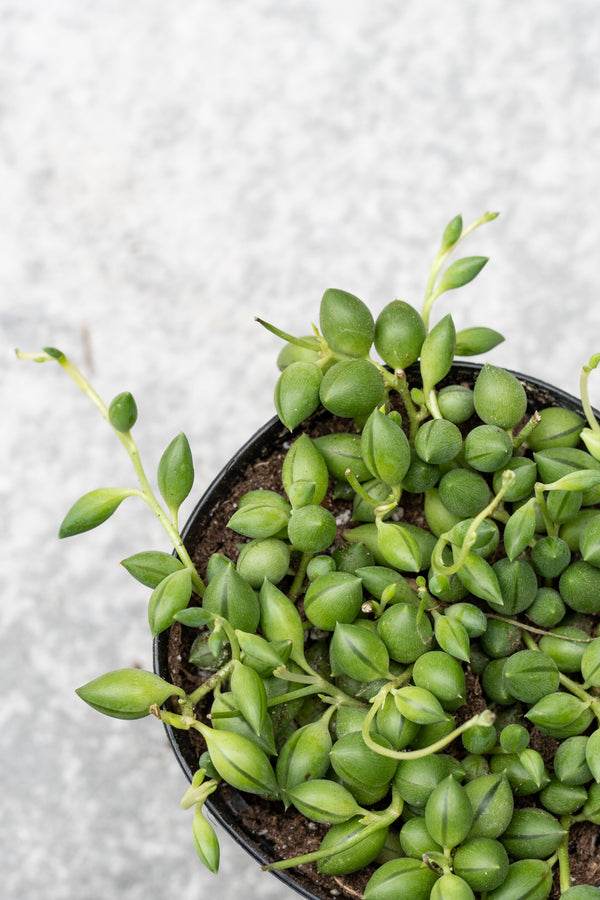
x=499, y=583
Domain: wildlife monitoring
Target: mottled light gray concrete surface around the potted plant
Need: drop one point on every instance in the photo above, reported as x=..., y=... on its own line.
x=168, y=171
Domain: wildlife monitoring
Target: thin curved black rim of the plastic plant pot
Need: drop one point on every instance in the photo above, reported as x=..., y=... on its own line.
x=224, y=814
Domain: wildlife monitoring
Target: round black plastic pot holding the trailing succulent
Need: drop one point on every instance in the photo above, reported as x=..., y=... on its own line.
x=226, y=805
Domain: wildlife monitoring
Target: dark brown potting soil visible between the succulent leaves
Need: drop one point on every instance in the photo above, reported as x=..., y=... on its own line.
x=266, y=826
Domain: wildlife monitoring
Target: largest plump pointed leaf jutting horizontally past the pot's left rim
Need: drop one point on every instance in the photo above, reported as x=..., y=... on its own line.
x=127, y=693
